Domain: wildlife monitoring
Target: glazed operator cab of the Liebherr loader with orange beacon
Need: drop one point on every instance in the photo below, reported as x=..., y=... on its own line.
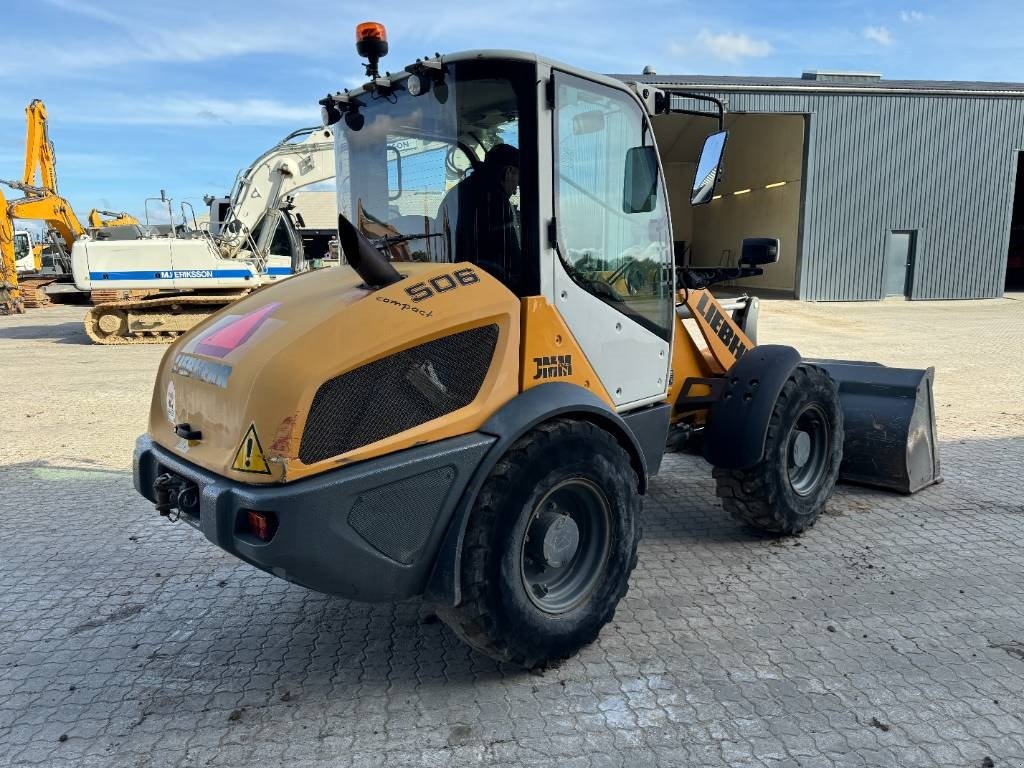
x=586, y=230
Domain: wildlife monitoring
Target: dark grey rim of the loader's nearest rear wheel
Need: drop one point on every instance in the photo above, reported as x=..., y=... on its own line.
x=567, y=546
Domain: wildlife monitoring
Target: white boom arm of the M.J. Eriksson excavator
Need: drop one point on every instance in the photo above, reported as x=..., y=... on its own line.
x=303, y=158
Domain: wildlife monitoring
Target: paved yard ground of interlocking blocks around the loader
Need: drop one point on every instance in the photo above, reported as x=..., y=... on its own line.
x=892, y=634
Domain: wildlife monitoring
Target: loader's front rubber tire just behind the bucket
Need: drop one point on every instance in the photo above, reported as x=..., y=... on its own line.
x=780, y=495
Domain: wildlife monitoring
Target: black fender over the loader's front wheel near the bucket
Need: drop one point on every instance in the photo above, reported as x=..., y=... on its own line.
x=738, y=424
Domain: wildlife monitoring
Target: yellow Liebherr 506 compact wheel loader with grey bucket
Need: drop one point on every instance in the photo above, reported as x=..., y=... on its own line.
x=479, y=424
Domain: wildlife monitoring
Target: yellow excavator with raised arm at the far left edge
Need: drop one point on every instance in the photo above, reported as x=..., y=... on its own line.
x=40, y=202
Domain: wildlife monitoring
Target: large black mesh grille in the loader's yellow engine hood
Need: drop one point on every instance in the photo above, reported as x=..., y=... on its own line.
x=399, y=393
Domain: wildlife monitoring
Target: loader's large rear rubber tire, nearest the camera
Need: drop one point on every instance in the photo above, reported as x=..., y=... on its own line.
x=498, y=615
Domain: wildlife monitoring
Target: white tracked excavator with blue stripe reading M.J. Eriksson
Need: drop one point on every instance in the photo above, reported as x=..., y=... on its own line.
x=200, y=272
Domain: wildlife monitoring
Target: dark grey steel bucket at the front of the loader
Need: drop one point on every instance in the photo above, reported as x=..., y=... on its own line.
x=889, y=420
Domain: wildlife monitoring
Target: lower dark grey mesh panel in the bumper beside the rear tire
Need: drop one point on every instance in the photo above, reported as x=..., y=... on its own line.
x=397, y=520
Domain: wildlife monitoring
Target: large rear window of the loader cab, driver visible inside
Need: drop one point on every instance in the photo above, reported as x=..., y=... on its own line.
x=437, y=178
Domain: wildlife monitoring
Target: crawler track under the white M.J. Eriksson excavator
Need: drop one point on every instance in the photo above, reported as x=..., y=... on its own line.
x=152, y=321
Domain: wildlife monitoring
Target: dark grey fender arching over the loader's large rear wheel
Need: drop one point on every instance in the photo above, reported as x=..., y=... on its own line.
x=514, y=420
